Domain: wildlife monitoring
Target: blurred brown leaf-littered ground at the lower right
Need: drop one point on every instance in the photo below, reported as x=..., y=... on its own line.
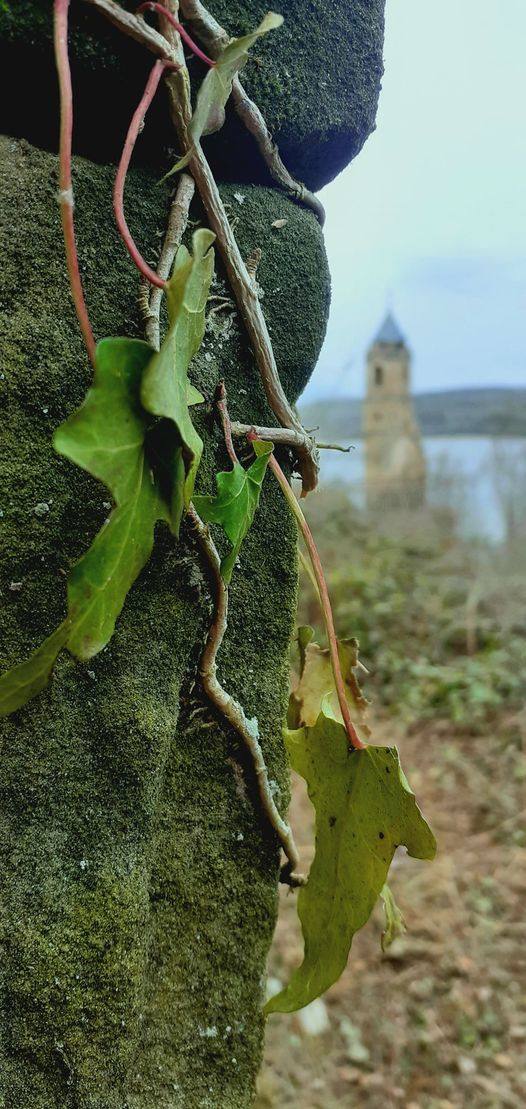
x=439, y=1022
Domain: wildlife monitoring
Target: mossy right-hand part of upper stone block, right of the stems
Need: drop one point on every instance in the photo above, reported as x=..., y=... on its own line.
x=317, y=79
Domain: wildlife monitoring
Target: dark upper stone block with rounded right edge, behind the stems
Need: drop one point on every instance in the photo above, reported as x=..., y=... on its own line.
x=317, y=82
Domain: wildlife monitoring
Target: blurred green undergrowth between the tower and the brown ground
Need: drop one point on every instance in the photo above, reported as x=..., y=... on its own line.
x=441, y=623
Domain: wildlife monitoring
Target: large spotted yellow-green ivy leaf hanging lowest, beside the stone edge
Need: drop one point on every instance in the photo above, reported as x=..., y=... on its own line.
x=365, y=811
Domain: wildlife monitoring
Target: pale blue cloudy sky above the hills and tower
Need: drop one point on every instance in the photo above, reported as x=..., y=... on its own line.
x=431, y=218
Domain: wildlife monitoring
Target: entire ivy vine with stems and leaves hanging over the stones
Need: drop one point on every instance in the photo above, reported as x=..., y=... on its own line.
x=135, y=433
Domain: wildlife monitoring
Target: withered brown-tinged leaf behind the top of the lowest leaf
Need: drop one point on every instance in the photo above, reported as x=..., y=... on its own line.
x=317, y=683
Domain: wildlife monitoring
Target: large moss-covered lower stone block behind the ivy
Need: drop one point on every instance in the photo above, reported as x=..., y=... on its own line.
x=139, y=882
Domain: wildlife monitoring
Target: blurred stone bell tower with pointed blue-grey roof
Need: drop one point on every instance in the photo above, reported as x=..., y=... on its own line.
x=394, y=460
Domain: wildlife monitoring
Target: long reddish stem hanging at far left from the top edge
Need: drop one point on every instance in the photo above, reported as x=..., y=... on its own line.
x=66, y=192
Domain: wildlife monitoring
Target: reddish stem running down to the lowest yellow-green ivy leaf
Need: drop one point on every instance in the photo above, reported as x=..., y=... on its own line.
x=326, y=602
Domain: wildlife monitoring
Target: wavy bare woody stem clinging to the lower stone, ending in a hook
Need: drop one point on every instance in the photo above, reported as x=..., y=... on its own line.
x=234, y=711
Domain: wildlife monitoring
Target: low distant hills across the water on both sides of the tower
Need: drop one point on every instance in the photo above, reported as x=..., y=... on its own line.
x=456, y=412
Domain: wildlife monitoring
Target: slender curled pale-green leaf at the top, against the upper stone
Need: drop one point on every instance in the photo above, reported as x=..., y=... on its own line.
x=217, y=87
